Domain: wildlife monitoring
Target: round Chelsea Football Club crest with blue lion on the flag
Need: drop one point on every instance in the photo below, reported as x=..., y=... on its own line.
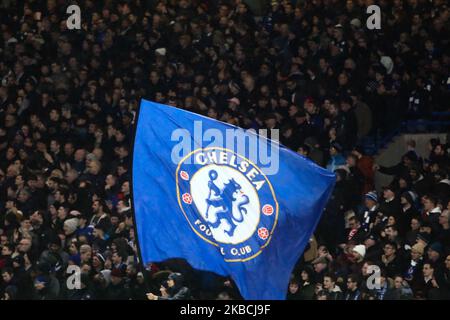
x=228, y=201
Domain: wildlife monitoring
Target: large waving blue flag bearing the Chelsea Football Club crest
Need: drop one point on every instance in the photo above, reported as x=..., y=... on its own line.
x=226, y=199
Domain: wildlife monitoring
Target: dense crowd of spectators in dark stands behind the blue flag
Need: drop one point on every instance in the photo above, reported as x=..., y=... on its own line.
x=312, y=69
